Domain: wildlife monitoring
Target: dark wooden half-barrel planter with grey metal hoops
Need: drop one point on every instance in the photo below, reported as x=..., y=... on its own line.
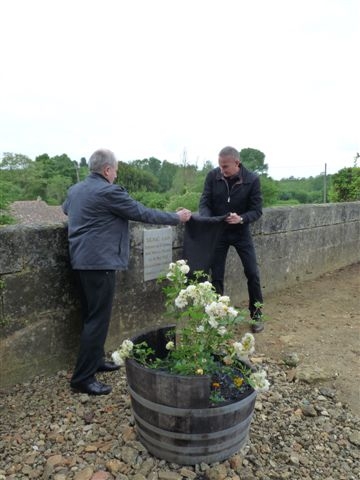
x=172, y=414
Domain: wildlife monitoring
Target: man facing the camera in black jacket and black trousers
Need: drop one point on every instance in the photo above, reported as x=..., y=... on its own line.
x=232, y=189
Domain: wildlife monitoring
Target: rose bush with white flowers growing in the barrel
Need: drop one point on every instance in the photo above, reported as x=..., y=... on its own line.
x=204, y=341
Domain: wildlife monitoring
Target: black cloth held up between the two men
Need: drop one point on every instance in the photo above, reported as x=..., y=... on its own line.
x=200, y=239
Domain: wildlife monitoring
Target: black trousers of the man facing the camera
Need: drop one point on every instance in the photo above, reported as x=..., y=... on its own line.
x=245, y=249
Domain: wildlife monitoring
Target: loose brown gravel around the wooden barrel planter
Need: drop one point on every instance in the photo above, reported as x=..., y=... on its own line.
x=299, y=431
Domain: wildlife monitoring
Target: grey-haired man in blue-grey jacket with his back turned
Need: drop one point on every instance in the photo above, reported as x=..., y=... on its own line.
x=98, y=231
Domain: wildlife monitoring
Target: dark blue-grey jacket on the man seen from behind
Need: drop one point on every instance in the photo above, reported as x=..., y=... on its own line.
x=98, y=226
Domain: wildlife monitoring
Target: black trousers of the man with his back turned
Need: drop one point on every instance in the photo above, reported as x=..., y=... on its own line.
x=96, y=295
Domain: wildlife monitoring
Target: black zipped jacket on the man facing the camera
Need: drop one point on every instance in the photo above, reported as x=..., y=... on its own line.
x=244, y=198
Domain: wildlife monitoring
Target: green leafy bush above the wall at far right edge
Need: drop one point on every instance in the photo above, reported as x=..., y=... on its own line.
x=345, y=185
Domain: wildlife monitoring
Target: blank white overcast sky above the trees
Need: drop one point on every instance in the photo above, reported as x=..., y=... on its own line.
x=160, y=77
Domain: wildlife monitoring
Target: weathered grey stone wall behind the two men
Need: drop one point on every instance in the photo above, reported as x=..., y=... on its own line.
x=39, y=309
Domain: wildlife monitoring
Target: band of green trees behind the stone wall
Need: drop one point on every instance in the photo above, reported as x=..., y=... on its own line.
x=161, y=184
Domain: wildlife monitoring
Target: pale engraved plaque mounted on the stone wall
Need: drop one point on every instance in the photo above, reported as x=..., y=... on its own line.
x=157, y=252
